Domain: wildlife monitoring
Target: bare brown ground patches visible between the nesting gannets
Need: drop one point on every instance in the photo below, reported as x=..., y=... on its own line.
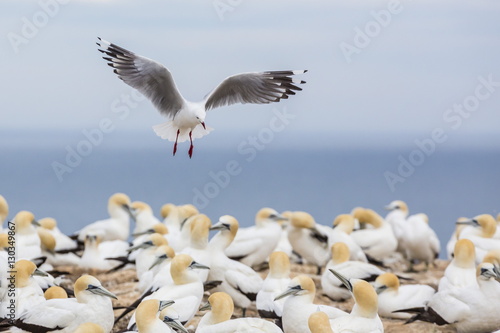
x=123, y=285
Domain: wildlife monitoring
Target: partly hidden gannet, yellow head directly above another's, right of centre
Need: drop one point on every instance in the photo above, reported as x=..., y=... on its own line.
x=343, y=226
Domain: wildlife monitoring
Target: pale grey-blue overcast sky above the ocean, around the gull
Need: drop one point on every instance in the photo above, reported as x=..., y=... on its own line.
x=378, y=67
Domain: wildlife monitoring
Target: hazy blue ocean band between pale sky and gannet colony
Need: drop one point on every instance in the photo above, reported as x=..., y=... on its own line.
x=71, y=181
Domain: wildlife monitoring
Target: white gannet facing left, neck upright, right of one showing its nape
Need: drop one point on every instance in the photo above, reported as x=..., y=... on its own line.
x=241, y=282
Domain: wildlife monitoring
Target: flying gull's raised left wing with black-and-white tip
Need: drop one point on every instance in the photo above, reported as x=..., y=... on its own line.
x=151, y=78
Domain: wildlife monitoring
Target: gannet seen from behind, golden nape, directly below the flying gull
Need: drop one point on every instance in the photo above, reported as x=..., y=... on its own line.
x=198, y=243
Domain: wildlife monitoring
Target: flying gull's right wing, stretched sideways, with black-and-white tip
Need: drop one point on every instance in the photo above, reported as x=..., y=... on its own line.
x=256, y=88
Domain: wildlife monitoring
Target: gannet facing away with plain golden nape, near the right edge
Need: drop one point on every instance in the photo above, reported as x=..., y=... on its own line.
x=461, y=272
